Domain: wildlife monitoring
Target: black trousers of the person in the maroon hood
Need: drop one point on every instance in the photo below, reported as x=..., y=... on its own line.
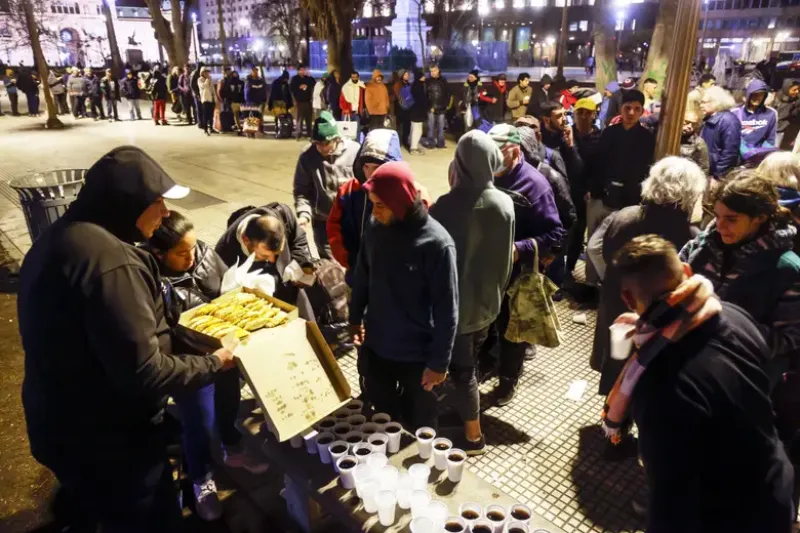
x=395, y=388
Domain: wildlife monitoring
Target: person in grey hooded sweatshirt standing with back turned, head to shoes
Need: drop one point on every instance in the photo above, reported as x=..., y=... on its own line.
x=480, y=219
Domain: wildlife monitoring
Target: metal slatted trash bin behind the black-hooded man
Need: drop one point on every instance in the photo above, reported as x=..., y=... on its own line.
x=45, y=196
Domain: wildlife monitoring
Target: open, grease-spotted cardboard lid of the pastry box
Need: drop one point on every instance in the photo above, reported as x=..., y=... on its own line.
x=294, y=376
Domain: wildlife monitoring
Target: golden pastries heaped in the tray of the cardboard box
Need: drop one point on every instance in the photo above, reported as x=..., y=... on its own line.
x=240, y=312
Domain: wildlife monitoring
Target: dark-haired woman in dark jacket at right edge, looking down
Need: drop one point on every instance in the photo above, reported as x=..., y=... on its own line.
x=747, y=254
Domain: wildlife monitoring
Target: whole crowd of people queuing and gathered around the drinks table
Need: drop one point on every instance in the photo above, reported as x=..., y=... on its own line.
x=695, y=254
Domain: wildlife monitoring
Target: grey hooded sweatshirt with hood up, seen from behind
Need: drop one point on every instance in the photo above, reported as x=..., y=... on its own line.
x=481, y=221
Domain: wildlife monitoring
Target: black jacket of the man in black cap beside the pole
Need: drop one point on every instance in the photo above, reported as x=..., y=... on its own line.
x=626, y=159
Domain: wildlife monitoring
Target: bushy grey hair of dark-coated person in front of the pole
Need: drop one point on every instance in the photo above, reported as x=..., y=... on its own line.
x=674, y=180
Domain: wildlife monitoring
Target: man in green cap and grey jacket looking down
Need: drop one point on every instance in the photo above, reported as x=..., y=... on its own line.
x=323, y=167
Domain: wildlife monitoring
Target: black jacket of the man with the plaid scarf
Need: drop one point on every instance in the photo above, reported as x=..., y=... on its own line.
x=707, y=435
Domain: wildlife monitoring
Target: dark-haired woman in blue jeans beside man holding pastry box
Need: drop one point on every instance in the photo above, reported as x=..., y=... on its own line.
x=191, y=274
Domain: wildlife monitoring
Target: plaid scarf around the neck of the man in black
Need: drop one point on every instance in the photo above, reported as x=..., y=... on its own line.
x=664, y=323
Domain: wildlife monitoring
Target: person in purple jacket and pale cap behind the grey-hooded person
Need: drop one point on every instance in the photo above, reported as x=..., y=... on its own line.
x=536, y=227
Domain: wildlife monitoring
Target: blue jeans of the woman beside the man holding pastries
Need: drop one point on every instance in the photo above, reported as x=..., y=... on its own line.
x=203, y=410
